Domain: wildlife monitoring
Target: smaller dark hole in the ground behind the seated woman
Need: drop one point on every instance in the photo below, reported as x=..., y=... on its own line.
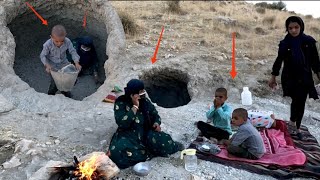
x=167, y=88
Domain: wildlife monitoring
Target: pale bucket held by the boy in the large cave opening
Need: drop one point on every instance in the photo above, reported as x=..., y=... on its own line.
x=65, y=77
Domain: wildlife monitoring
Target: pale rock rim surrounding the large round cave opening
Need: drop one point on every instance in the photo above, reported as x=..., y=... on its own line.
x=19, y=92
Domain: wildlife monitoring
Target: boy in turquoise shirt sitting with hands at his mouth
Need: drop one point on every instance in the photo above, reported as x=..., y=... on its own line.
x=220, y=115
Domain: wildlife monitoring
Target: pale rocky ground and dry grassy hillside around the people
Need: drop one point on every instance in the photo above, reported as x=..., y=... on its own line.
x=36, y=128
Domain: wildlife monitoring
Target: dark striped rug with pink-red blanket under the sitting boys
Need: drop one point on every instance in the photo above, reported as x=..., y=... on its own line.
x=286, y=155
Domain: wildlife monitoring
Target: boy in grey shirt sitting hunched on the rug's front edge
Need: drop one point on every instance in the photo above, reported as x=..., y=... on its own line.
x=247, y=142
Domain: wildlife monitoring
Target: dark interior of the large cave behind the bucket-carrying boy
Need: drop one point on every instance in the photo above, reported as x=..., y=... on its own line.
x=30, y=35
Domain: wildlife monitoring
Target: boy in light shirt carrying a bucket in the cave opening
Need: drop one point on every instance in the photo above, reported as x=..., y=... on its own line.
x=54, y=55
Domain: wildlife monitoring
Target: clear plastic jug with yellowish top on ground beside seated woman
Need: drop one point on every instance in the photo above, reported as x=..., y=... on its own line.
x=190, y=159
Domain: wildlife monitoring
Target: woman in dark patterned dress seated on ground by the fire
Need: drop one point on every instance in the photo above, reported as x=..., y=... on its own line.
x=139, y=136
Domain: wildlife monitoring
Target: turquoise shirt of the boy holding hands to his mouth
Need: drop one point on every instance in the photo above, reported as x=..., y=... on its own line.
x=221, y=117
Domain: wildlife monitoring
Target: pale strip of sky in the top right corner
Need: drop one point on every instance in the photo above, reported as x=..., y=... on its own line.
x=302, y=7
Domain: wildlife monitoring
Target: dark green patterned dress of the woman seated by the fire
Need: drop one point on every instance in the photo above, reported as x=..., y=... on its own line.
x=132, y=142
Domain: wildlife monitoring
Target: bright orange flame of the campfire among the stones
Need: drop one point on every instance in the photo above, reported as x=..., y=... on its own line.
x=87, y=168
